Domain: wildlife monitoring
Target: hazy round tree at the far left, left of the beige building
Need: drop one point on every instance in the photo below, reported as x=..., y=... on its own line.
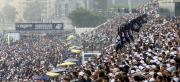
x=10, y=13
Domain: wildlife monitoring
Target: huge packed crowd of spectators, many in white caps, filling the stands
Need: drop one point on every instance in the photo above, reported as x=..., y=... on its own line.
x=153, y=56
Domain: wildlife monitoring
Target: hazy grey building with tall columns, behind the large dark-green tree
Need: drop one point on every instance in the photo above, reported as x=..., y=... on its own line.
x=64, y=7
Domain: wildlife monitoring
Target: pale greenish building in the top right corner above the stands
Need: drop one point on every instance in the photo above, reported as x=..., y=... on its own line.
x=169, y=7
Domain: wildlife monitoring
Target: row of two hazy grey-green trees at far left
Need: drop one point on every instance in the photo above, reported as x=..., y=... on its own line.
x=33, y=10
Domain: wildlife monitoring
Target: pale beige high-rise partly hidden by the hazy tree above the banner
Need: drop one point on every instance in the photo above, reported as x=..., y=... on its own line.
x=46, y=5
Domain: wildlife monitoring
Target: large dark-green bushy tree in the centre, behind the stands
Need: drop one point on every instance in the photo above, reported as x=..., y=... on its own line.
x=86, y=18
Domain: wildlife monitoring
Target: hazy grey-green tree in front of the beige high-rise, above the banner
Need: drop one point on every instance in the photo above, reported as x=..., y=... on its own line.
x=33, y=10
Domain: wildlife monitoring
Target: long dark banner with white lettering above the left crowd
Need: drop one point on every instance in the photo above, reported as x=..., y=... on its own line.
x=39, y=26
